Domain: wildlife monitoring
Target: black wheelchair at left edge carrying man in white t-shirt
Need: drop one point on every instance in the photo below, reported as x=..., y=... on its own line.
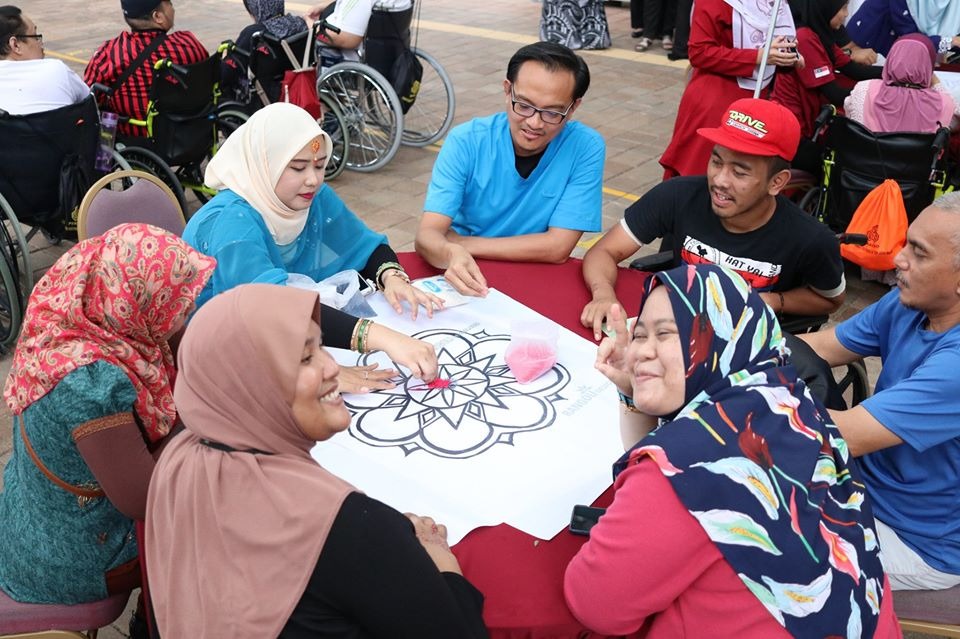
x=41, y=186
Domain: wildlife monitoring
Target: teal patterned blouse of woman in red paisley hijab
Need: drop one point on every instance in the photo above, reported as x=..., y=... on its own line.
x=54, y=546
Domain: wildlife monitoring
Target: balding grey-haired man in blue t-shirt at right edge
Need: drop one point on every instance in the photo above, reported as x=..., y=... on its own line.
x=907, y=434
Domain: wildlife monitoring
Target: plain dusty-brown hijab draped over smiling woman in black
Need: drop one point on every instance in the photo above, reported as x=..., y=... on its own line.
x=233, y=537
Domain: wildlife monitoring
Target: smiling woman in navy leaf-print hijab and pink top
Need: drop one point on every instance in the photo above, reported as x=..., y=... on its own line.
x=729, y=512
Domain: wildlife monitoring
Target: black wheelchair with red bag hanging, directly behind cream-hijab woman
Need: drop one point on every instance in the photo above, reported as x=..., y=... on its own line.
x=262, y=70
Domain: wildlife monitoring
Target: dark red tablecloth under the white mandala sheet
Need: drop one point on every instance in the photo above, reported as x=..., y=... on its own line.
x=521, y=576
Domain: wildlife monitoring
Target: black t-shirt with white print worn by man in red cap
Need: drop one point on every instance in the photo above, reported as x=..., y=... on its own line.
x=791, y=250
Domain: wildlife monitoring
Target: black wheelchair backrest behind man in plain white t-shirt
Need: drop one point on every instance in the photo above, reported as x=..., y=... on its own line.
x=43, y=150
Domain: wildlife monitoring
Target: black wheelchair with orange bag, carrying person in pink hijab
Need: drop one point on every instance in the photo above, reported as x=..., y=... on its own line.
x=856, y=160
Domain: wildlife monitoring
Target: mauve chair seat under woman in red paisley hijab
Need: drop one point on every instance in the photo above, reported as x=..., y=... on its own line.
x=55, y=621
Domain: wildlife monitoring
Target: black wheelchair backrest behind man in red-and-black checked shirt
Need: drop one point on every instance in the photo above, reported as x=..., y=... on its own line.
x=182, y=111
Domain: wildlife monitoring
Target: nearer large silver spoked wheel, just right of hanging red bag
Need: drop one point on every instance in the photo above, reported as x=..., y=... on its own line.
x=371, y=110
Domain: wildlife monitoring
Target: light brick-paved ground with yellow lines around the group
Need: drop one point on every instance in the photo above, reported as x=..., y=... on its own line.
x=632, y=102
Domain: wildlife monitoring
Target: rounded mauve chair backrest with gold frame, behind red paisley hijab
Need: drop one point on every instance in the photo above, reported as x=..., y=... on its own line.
x=144, y=198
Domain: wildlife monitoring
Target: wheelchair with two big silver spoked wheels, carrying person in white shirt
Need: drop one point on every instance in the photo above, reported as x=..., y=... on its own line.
x=377, y=120
